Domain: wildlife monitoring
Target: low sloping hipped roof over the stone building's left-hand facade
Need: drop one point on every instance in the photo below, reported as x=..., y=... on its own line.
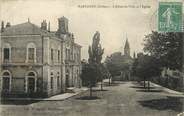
x=24, y=29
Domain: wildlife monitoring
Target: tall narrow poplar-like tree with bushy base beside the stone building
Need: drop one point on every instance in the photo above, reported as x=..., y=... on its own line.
x=92, y=71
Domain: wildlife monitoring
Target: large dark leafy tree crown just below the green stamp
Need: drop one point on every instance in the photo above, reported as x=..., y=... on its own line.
x=165, y=47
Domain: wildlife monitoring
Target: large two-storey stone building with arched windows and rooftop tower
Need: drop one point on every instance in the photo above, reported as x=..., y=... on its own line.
x=37, y=61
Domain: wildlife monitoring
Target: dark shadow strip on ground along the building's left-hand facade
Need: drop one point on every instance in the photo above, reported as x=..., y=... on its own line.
x=17, y=102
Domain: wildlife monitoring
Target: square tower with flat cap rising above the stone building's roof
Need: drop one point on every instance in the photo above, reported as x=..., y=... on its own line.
x=62, y=25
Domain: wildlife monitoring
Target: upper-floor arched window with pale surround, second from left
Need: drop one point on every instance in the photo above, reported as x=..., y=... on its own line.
x=31, y=53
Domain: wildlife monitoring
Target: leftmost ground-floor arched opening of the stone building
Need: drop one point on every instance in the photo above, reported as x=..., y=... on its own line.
x=6, y=81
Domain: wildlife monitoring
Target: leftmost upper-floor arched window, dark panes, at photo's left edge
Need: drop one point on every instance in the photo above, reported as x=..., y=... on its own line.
x=6, y=52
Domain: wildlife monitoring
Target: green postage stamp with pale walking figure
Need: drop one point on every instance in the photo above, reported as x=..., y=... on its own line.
x=170, y=17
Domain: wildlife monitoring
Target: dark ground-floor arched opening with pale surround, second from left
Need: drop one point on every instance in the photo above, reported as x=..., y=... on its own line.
x=31, y=80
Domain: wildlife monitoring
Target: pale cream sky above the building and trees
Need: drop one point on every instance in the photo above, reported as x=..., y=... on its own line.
x=114, y=24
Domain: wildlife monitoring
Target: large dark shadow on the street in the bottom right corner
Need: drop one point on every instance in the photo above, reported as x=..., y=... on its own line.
x=169, y=103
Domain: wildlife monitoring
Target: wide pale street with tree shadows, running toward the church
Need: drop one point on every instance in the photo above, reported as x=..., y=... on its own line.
x=119, y=99
